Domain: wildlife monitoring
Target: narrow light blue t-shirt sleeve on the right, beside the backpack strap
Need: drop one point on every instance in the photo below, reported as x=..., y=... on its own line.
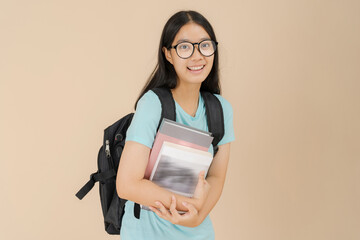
x=229, y=134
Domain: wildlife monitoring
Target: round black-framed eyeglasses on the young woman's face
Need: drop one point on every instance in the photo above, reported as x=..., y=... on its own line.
x=186, y=49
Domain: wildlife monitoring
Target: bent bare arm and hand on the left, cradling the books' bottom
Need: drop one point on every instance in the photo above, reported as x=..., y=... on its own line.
x=131, y=184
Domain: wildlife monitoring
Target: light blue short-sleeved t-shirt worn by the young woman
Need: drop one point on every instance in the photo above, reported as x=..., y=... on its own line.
x=143, y=130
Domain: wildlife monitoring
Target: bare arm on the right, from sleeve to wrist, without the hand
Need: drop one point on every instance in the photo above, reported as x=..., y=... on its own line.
x=216, y=179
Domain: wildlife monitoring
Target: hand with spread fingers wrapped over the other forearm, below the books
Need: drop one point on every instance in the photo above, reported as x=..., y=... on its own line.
x=188, y=219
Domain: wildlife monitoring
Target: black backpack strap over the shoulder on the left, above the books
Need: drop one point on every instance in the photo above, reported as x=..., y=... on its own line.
x=167, y=104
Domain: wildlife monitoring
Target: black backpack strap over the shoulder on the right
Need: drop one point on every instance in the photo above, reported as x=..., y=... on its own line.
x=215, y=117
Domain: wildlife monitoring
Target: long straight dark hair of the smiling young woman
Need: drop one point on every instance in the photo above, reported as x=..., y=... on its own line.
x=164, y=74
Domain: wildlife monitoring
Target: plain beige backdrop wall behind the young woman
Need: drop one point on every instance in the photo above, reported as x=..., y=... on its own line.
x=291, y=70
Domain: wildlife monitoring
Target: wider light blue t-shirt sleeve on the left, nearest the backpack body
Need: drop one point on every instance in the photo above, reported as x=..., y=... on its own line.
x=146, y=120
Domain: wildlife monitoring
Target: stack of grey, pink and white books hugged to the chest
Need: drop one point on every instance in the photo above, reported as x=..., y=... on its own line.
x=178, y=155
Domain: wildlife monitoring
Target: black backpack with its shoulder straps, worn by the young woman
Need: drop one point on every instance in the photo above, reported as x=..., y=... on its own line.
x=113, y=144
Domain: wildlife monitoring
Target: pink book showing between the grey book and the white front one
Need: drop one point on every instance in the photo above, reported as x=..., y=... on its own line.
x=160, y=138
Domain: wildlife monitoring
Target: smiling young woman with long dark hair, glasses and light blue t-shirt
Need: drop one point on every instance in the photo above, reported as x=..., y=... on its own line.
x=187, y=63
